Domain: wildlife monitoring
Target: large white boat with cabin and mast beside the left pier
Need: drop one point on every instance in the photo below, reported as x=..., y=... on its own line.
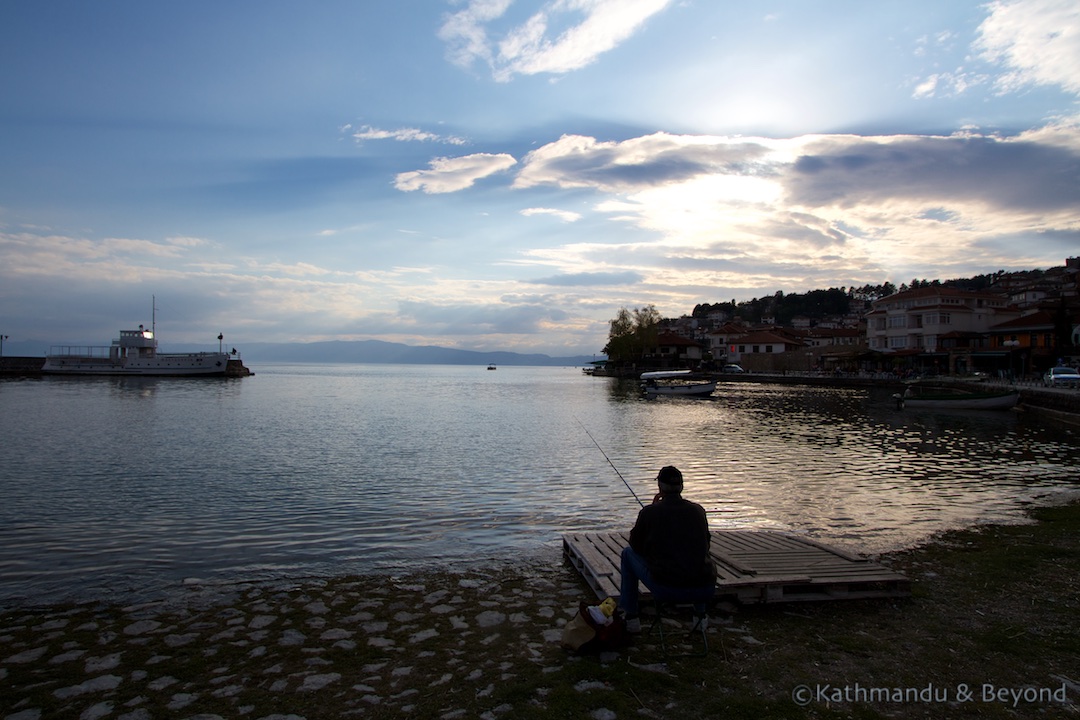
x=136, y=352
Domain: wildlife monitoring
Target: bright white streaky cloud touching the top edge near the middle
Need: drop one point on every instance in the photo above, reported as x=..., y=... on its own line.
x=537, y=46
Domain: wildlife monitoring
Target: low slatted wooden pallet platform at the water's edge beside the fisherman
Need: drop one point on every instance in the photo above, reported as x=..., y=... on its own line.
x=752, y=567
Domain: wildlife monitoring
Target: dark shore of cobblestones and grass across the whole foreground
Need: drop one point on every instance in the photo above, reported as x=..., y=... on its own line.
x=992, y=631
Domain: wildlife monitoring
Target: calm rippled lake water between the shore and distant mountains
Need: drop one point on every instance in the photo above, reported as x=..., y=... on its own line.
x=125, y=488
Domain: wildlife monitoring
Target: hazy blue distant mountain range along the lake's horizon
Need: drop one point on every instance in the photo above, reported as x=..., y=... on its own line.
x=356, y=351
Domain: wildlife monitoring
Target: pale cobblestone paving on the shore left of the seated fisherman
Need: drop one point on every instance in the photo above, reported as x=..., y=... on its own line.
x=455, y=646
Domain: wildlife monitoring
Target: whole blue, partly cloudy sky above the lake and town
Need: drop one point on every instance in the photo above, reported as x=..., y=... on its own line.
x=508, y=174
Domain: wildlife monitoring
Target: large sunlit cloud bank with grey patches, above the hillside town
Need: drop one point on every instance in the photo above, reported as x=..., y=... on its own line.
x=757, y=214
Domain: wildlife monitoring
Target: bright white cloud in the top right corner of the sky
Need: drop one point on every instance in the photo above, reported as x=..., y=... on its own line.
x=1037, y=42
